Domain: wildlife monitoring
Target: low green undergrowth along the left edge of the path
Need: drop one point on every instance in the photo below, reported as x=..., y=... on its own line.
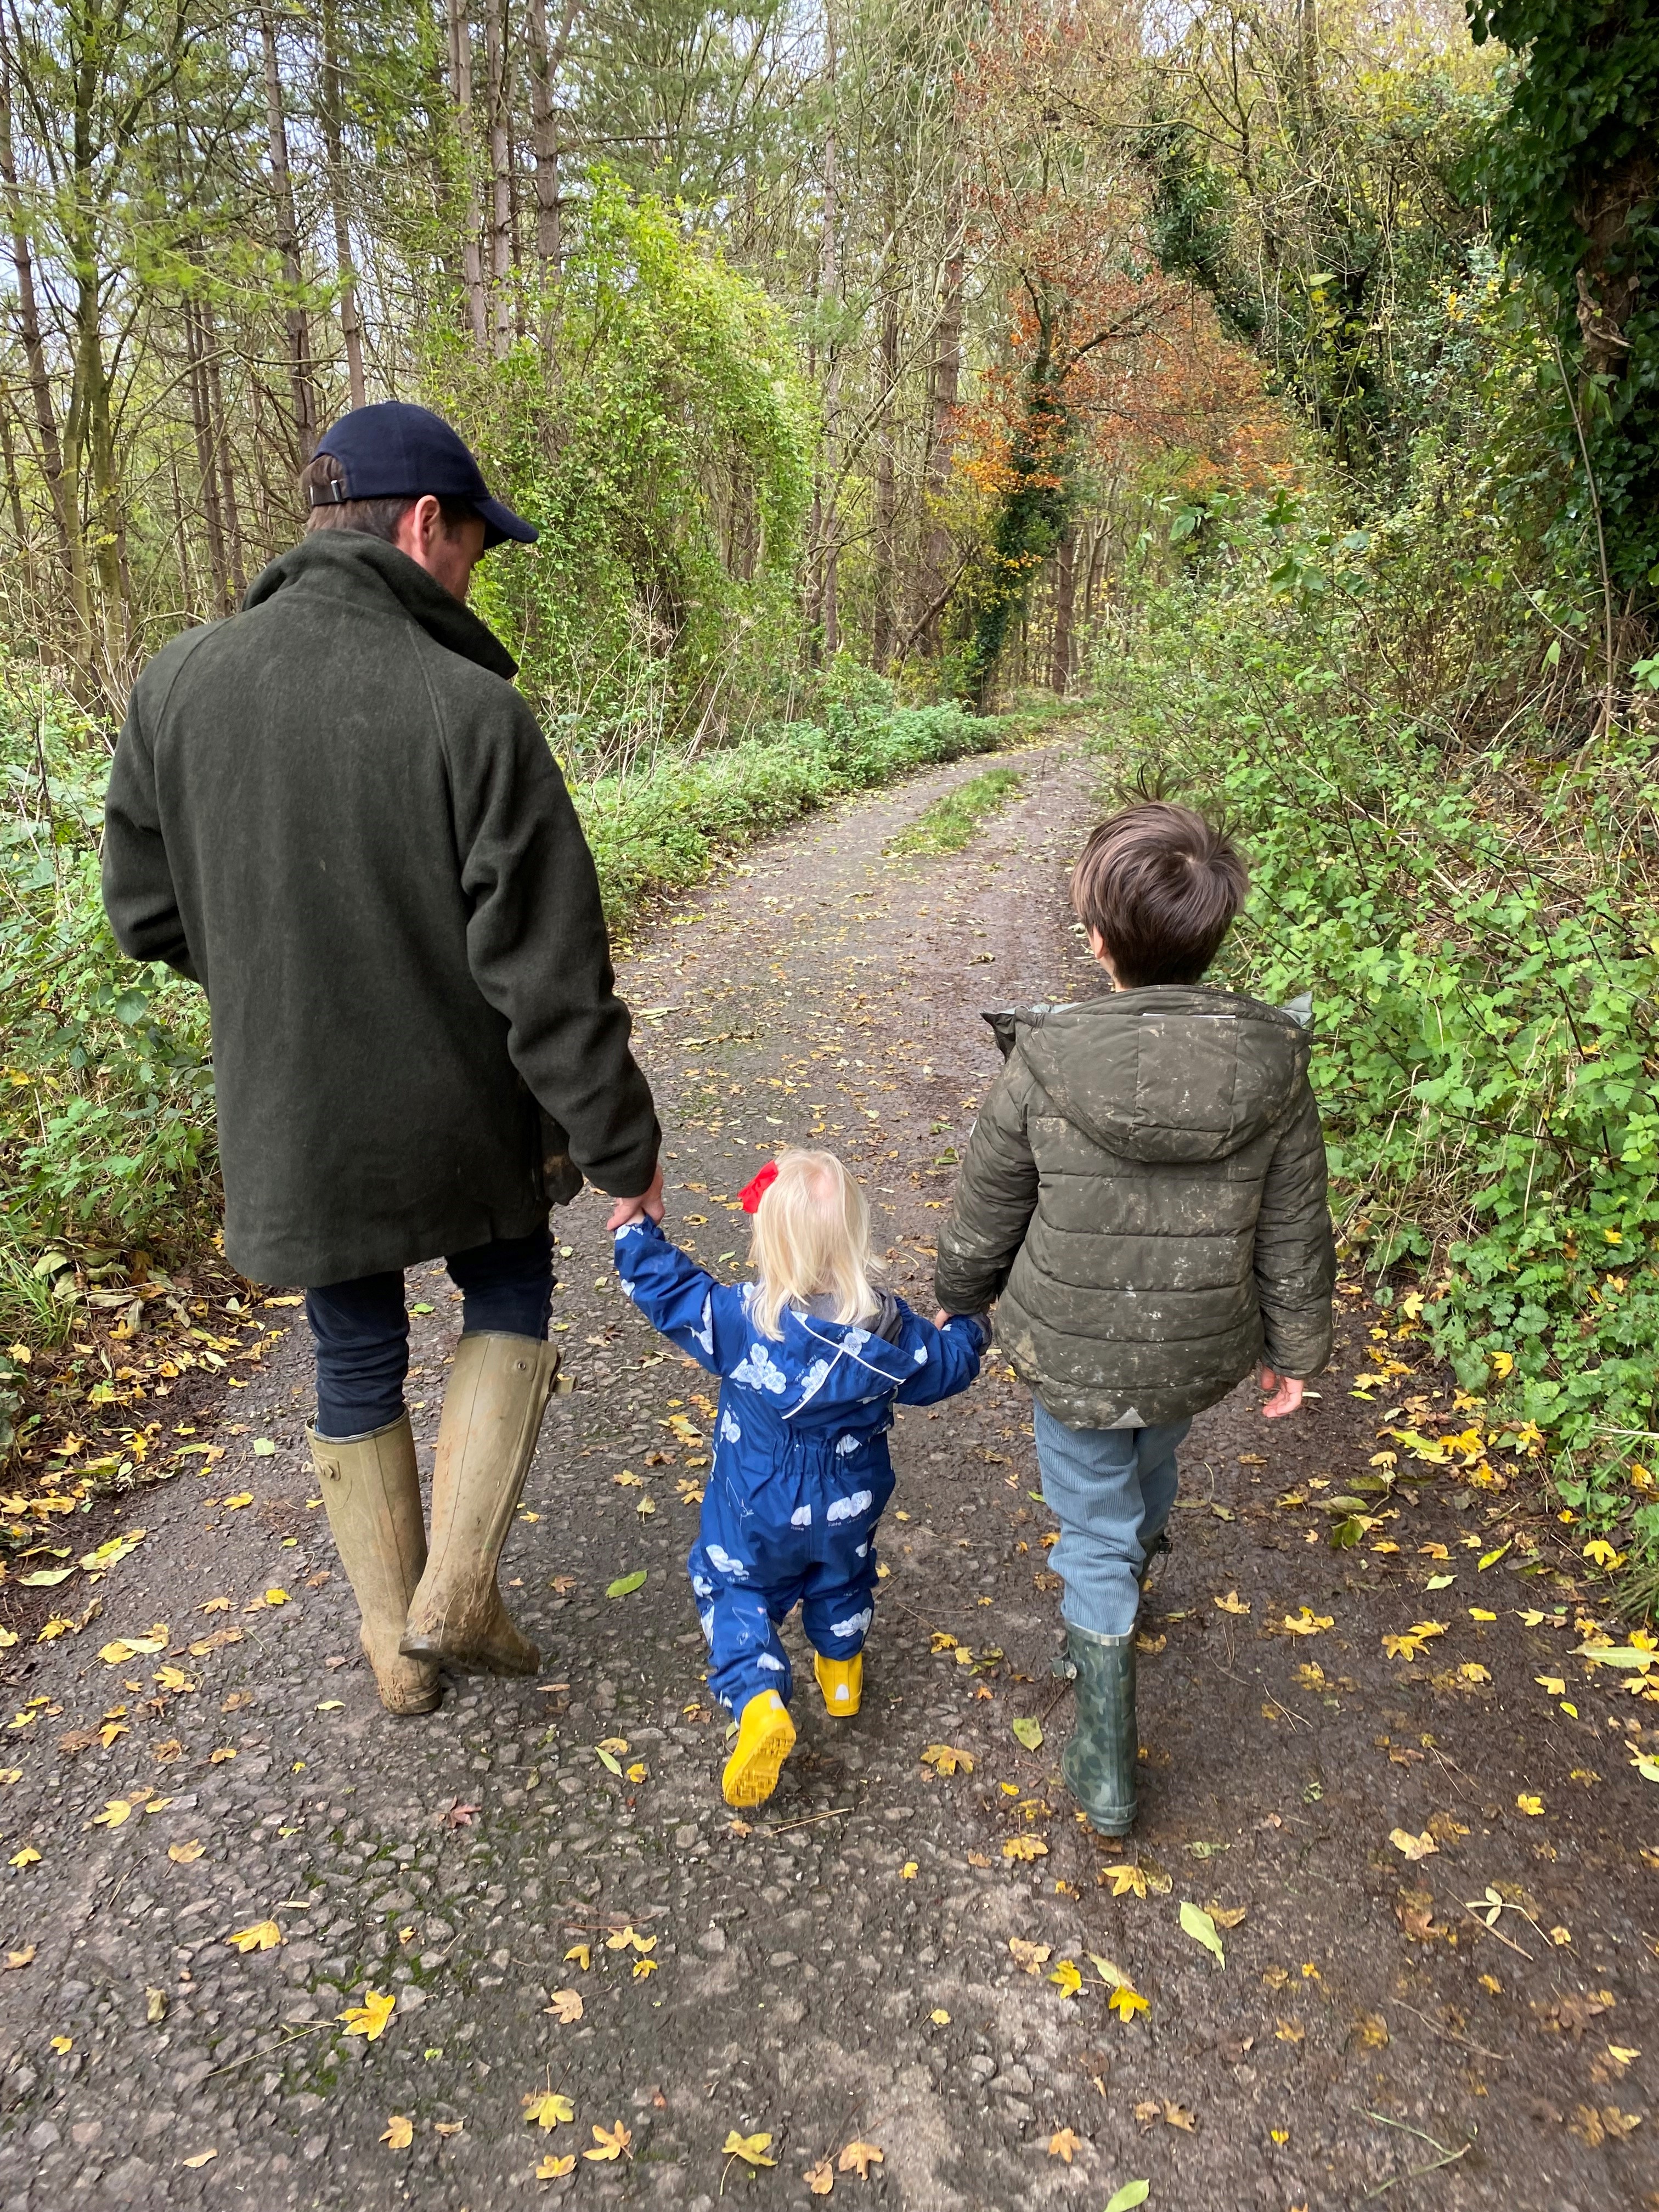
x=107, y=1138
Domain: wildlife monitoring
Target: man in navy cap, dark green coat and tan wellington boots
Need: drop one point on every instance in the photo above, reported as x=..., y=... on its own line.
x=340, y=817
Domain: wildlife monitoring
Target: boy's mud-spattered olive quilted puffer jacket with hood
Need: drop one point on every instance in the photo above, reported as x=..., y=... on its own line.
x=1145, y=1196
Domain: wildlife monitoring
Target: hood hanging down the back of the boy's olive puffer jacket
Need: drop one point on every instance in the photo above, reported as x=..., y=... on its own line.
x=1171, y=1074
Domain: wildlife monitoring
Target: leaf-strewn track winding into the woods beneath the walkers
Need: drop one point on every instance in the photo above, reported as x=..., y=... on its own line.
x=842, y=1972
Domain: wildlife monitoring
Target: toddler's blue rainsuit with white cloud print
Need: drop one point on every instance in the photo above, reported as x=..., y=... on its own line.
x=802, y=1468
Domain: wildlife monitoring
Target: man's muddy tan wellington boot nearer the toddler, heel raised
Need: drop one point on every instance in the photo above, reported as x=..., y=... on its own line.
x=492, y=1415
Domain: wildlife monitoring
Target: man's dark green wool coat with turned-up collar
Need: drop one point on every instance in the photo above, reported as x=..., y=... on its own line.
x=340, y=817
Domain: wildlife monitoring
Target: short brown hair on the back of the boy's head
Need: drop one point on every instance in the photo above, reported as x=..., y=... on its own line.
x=1160, y=884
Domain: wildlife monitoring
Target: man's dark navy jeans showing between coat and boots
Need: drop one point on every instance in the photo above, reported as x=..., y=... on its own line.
x=362, y=1328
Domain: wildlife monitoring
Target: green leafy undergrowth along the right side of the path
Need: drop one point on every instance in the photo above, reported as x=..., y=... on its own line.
x=1479, y=926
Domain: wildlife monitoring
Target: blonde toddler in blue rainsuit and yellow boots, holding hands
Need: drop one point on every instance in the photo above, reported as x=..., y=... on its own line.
x=813, y=1361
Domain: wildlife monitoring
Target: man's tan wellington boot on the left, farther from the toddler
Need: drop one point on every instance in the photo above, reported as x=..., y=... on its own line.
x=373, y=1494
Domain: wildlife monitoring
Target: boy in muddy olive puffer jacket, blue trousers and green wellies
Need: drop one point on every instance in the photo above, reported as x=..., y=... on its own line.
x=1145, y=1198
